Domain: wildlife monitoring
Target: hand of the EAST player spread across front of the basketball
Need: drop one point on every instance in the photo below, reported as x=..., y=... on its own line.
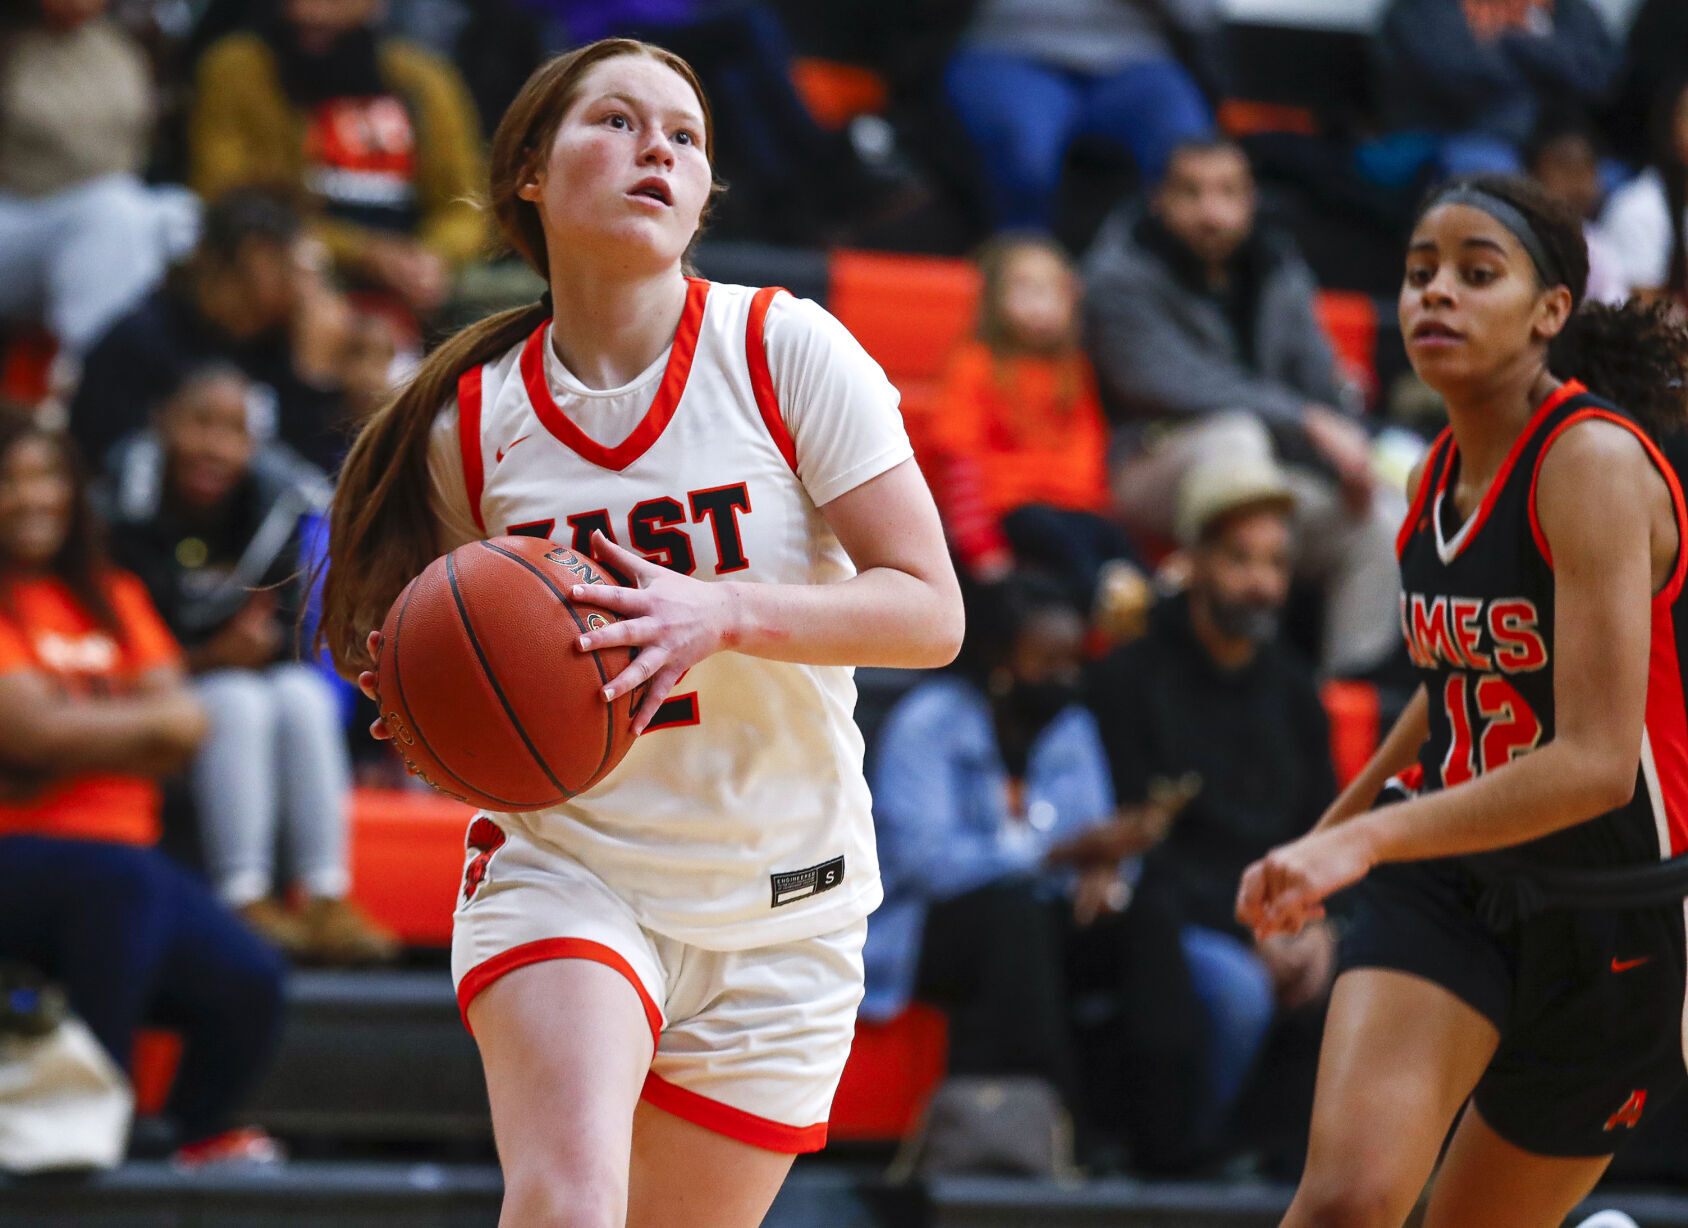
x=674, y=622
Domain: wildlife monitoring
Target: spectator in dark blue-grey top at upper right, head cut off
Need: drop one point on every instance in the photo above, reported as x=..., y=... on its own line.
x=1463, y=84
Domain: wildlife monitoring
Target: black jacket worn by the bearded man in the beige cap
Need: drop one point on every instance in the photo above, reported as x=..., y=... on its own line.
x=1257, y=737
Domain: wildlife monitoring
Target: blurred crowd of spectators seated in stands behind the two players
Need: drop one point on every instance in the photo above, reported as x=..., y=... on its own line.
x=229, y=229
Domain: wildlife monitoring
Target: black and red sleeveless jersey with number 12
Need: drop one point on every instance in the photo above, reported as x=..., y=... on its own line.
x=1478, y=616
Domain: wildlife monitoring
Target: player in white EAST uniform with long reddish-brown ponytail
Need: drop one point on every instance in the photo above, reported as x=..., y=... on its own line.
x=663, y=974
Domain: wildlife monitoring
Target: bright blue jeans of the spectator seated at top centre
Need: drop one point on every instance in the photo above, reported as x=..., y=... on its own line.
x=1022, y=116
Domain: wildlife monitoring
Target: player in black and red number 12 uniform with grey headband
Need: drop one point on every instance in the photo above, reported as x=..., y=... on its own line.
x=1515, y=943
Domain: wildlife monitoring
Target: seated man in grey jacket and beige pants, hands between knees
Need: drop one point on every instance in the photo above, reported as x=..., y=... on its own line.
x=1203, y=330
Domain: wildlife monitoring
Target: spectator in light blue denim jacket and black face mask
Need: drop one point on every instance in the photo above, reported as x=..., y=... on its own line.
x=1002, y=854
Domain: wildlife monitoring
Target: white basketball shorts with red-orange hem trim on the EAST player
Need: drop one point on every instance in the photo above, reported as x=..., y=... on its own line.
x=750, y=1043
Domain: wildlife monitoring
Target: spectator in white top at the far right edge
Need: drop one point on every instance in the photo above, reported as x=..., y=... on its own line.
x=1647, y=219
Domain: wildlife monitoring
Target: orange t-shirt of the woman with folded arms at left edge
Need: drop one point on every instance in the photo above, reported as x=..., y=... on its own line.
x=48, y=631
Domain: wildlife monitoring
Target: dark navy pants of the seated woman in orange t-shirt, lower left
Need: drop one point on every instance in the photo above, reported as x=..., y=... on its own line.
x=136, y=940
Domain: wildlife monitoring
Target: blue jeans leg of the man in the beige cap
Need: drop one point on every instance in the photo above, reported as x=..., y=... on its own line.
x=1238, y=996
